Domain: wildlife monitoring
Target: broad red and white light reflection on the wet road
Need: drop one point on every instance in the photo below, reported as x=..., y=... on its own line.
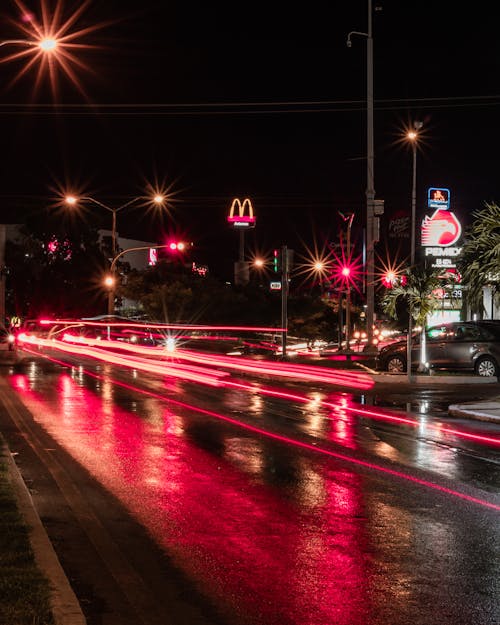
x=273, y=533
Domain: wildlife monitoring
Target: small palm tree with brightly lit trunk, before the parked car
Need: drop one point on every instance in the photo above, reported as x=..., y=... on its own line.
x=417, y=290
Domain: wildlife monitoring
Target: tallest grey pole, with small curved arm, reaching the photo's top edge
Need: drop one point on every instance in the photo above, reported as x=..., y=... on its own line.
x=370, y=177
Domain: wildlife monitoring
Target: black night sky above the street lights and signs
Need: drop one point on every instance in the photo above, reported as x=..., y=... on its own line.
x=216, y=100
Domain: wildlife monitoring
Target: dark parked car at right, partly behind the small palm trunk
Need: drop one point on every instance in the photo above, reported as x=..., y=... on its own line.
x=461, y=345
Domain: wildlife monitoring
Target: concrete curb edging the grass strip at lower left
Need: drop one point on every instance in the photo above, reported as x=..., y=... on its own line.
x=65, y=607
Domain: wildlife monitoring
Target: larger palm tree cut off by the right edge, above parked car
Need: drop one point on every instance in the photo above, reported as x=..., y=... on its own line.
x=479, y=261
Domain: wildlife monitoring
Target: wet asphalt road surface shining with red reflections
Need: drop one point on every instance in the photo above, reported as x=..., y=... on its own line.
x=172, y=502
